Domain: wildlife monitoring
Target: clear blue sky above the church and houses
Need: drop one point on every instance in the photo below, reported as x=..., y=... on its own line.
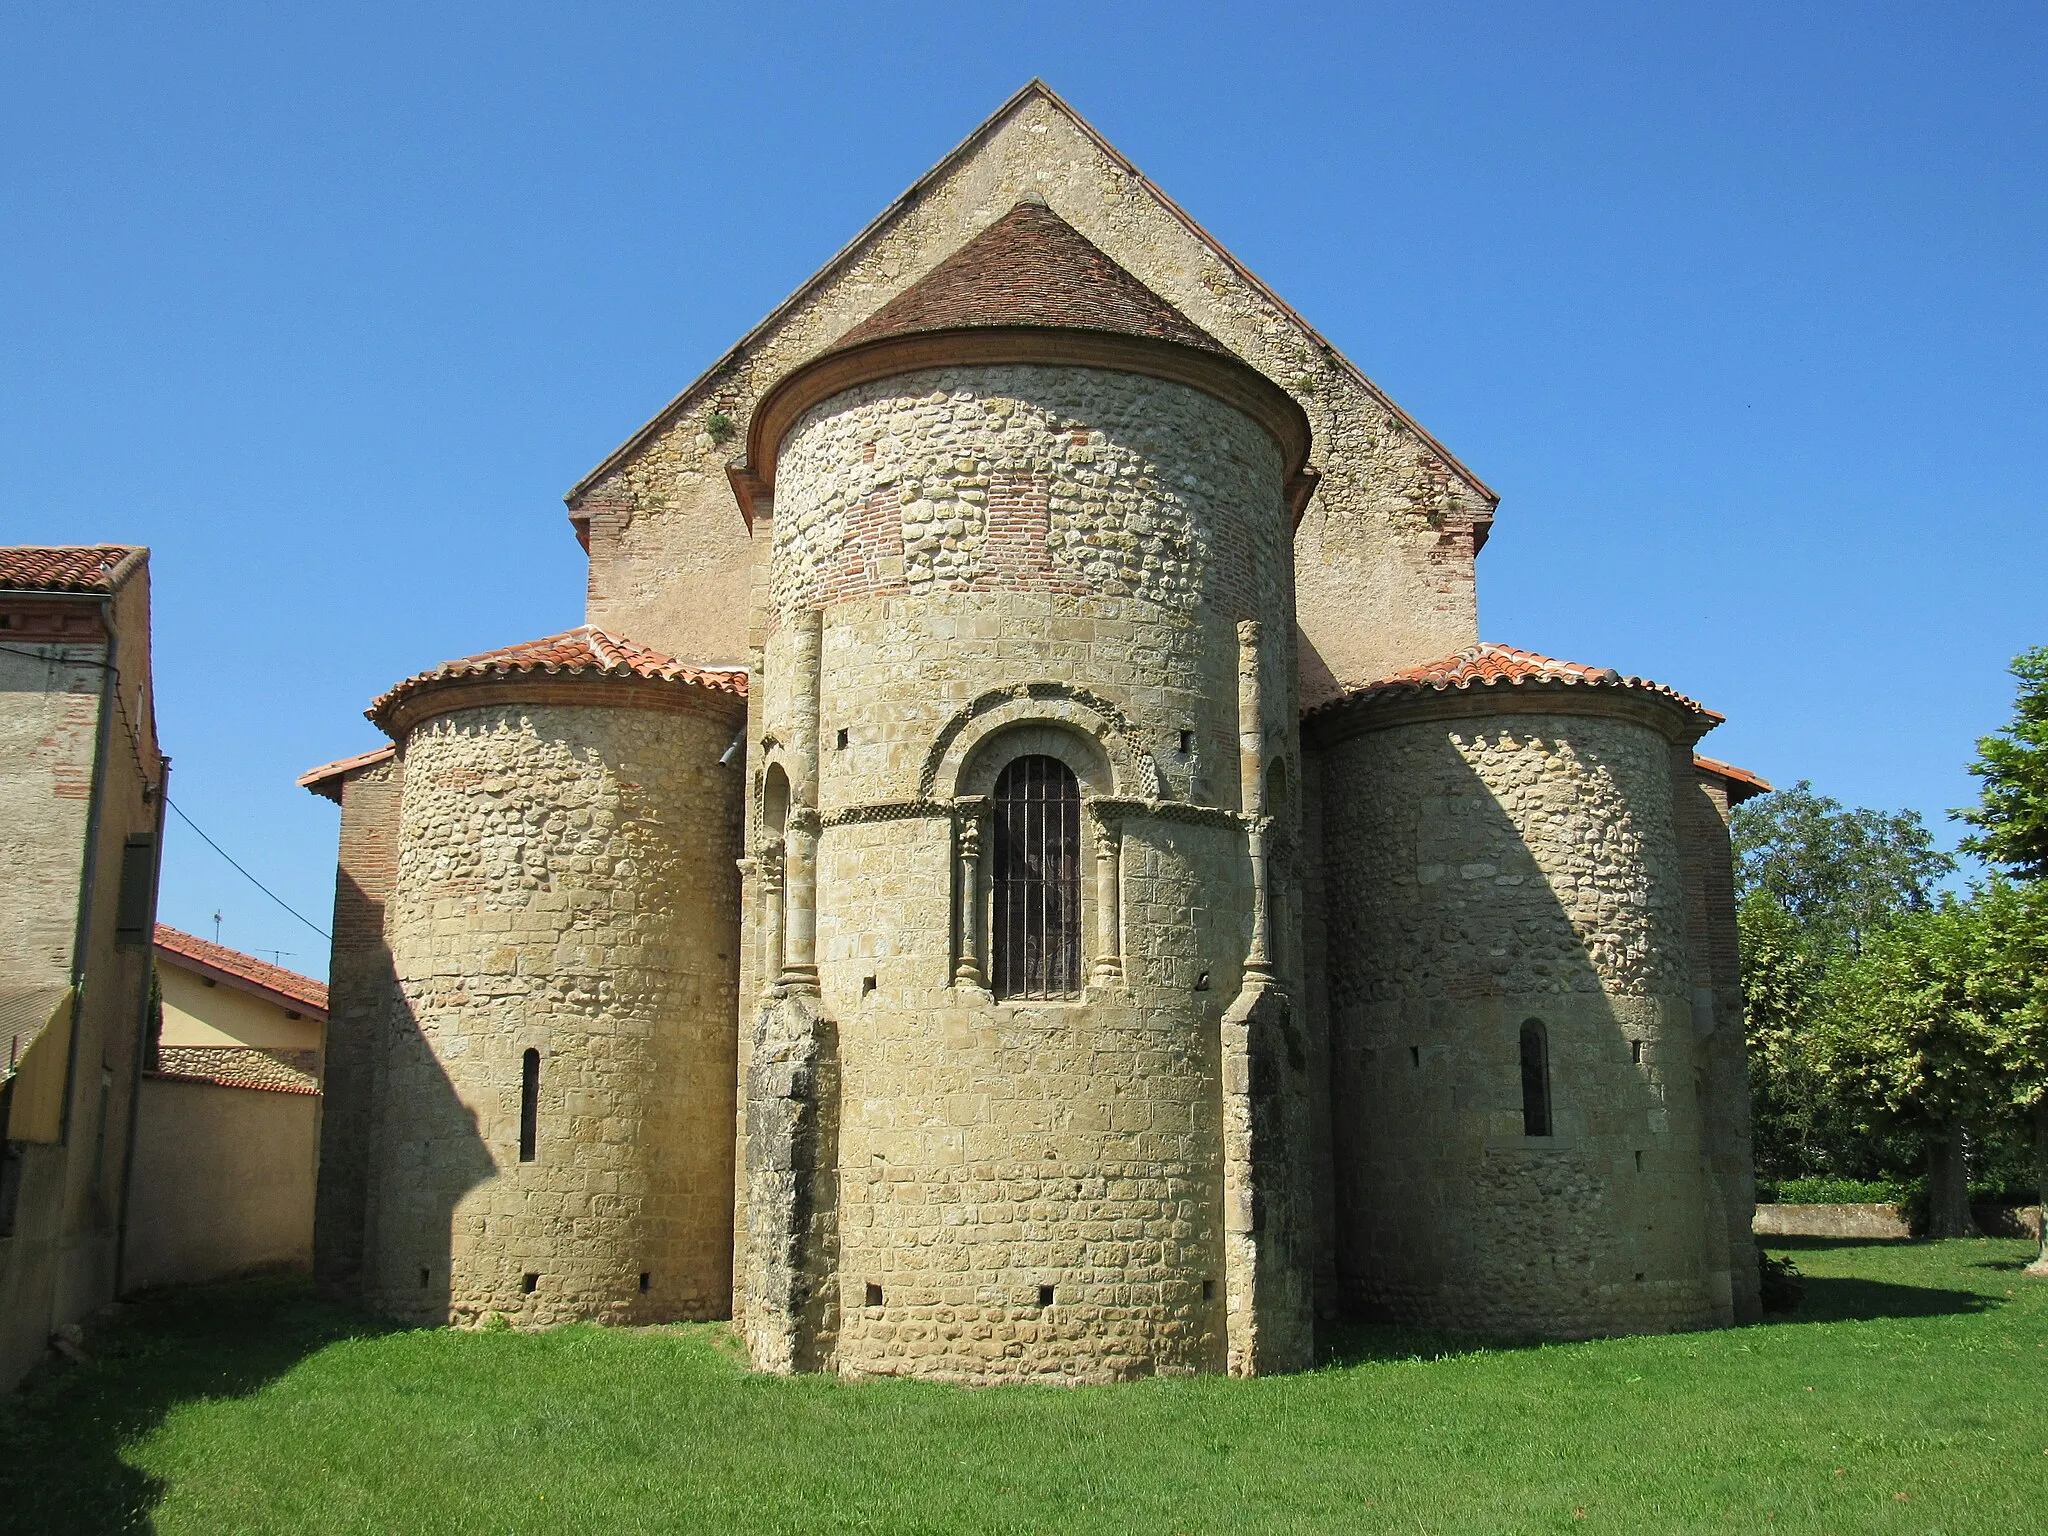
x=1740, y=308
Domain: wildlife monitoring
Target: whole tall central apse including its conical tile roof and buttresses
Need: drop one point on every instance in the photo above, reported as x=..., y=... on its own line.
x=1023, y=761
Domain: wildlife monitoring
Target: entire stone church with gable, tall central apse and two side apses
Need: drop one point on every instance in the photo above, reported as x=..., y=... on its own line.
x=1027, y=869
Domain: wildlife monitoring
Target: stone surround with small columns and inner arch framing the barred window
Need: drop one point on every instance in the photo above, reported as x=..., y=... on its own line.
x=980, y=755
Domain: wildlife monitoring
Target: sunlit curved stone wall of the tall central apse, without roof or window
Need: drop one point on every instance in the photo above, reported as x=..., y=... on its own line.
x=1027, y=560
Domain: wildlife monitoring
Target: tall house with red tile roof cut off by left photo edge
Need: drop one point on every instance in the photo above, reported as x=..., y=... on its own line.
x=81, y=822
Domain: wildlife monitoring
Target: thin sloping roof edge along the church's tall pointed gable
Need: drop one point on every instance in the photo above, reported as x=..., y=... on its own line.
x=1033, y=91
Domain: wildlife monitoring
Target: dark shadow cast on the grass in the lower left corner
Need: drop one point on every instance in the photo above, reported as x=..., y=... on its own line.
x=67, y=1428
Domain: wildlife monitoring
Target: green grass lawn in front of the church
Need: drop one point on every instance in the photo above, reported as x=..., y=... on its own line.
x=1910, y=1394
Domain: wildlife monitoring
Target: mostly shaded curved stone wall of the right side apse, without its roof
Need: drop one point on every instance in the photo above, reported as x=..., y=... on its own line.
x=1484, y=873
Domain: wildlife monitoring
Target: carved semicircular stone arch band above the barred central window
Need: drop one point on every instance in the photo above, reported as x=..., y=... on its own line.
x=1113, y=767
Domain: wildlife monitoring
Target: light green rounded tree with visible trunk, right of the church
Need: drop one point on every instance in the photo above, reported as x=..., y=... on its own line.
x=1908, y=1041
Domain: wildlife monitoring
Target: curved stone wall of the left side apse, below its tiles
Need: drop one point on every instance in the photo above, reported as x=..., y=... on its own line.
x=566, y=884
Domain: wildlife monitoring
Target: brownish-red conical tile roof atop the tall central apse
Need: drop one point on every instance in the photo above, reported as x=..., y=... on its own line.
x=1031, y=269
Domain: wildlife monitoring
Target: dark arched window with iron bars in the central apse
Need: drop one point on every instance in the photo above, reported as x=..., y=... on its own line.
x=1037, y=878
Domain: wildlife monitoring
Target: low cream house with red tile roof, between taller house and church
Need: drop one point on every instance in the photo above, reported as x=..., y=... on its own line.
x=228, y=1142
